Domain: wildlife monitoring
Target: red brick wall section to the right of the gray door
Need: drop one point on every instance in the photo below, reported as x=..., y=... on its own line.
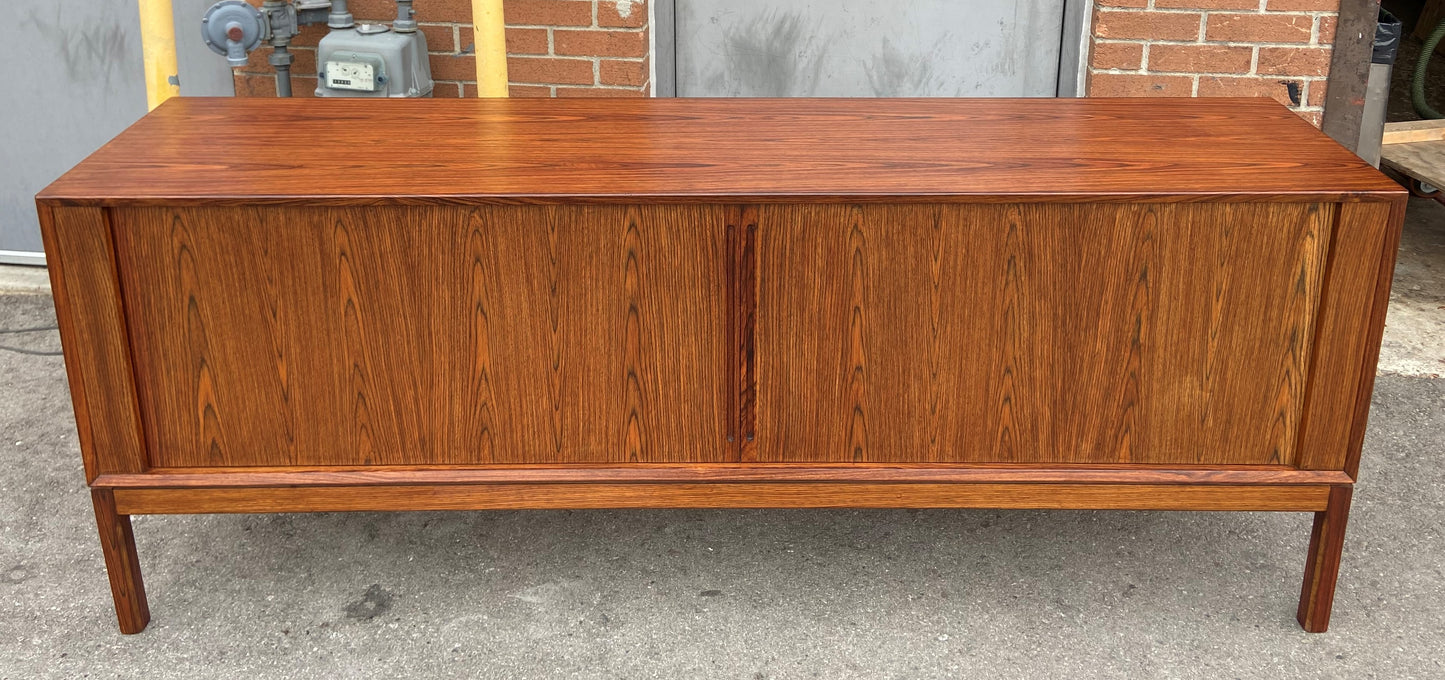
x=1215, y=48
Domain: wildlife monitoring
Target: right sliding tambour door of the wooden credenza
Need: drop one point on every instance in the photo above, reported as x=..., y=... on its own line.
x=1067, y=334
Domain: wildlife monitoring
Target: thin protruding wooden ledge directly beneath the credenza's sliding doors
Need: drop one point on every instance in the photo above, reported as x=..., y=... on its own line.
x=1238, y=476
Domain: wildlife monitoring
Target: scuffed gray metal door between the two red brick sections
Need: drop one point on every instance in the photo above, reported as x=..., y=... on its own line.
x=868, y=48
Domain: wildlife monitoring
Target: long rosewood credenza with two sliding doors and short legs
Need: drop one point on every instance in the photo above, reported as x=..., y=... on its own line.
x=275, y=307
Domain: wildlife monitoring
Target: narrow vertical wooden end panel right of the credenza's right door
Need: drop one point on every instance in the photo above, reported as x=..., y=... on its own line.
x=1350, y=324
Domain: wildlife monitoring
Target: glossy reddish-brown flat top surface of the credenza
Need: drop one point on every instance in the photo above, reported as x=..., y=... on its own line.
x=313, y=152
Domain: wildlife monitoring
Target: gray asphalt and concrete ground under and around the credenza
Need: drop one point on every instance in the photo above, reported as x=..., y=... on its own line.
x=735, y=594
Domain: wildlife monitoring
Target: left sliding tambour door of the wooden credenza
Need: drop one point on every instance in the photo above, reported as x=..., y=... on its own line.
x=392, y=336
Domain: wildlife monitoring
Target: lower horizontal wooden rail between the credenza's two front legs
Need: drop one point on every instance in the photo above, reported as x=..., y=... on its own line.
x=722, y=496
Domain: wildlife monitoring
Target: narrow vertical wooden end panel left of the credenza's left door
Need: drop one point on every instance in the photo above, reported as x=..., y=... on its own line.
x=92, y=318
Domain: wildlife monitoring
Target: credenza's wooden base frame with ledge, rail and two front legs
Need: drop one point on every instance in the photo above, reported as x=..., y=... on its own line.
x=808, y=487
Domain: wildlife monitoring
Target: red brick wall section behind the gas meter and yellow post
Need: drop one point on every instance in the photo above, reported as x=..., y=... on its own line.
x=556, y=48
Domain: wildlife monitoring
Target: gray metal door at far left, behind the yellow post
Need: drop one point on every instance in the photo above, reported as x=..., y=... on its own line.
x=74, y=79
